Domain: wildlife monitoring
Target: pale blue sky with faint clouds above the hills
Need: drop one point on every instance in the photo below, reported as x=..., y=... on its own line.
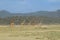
x=18, y=6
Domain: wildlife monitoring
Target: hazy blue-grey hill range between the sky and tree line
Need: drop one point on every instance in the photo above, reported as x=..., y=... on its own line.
x=5, y=13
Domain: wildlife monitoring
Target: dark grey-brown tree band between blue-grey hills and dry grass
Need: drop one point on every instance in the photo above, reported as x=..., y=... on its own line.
x=29, y=20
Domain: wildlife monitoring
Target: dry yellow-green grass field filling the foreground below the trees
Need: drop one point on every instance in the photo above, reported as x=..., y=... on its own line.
x=28, y=32
